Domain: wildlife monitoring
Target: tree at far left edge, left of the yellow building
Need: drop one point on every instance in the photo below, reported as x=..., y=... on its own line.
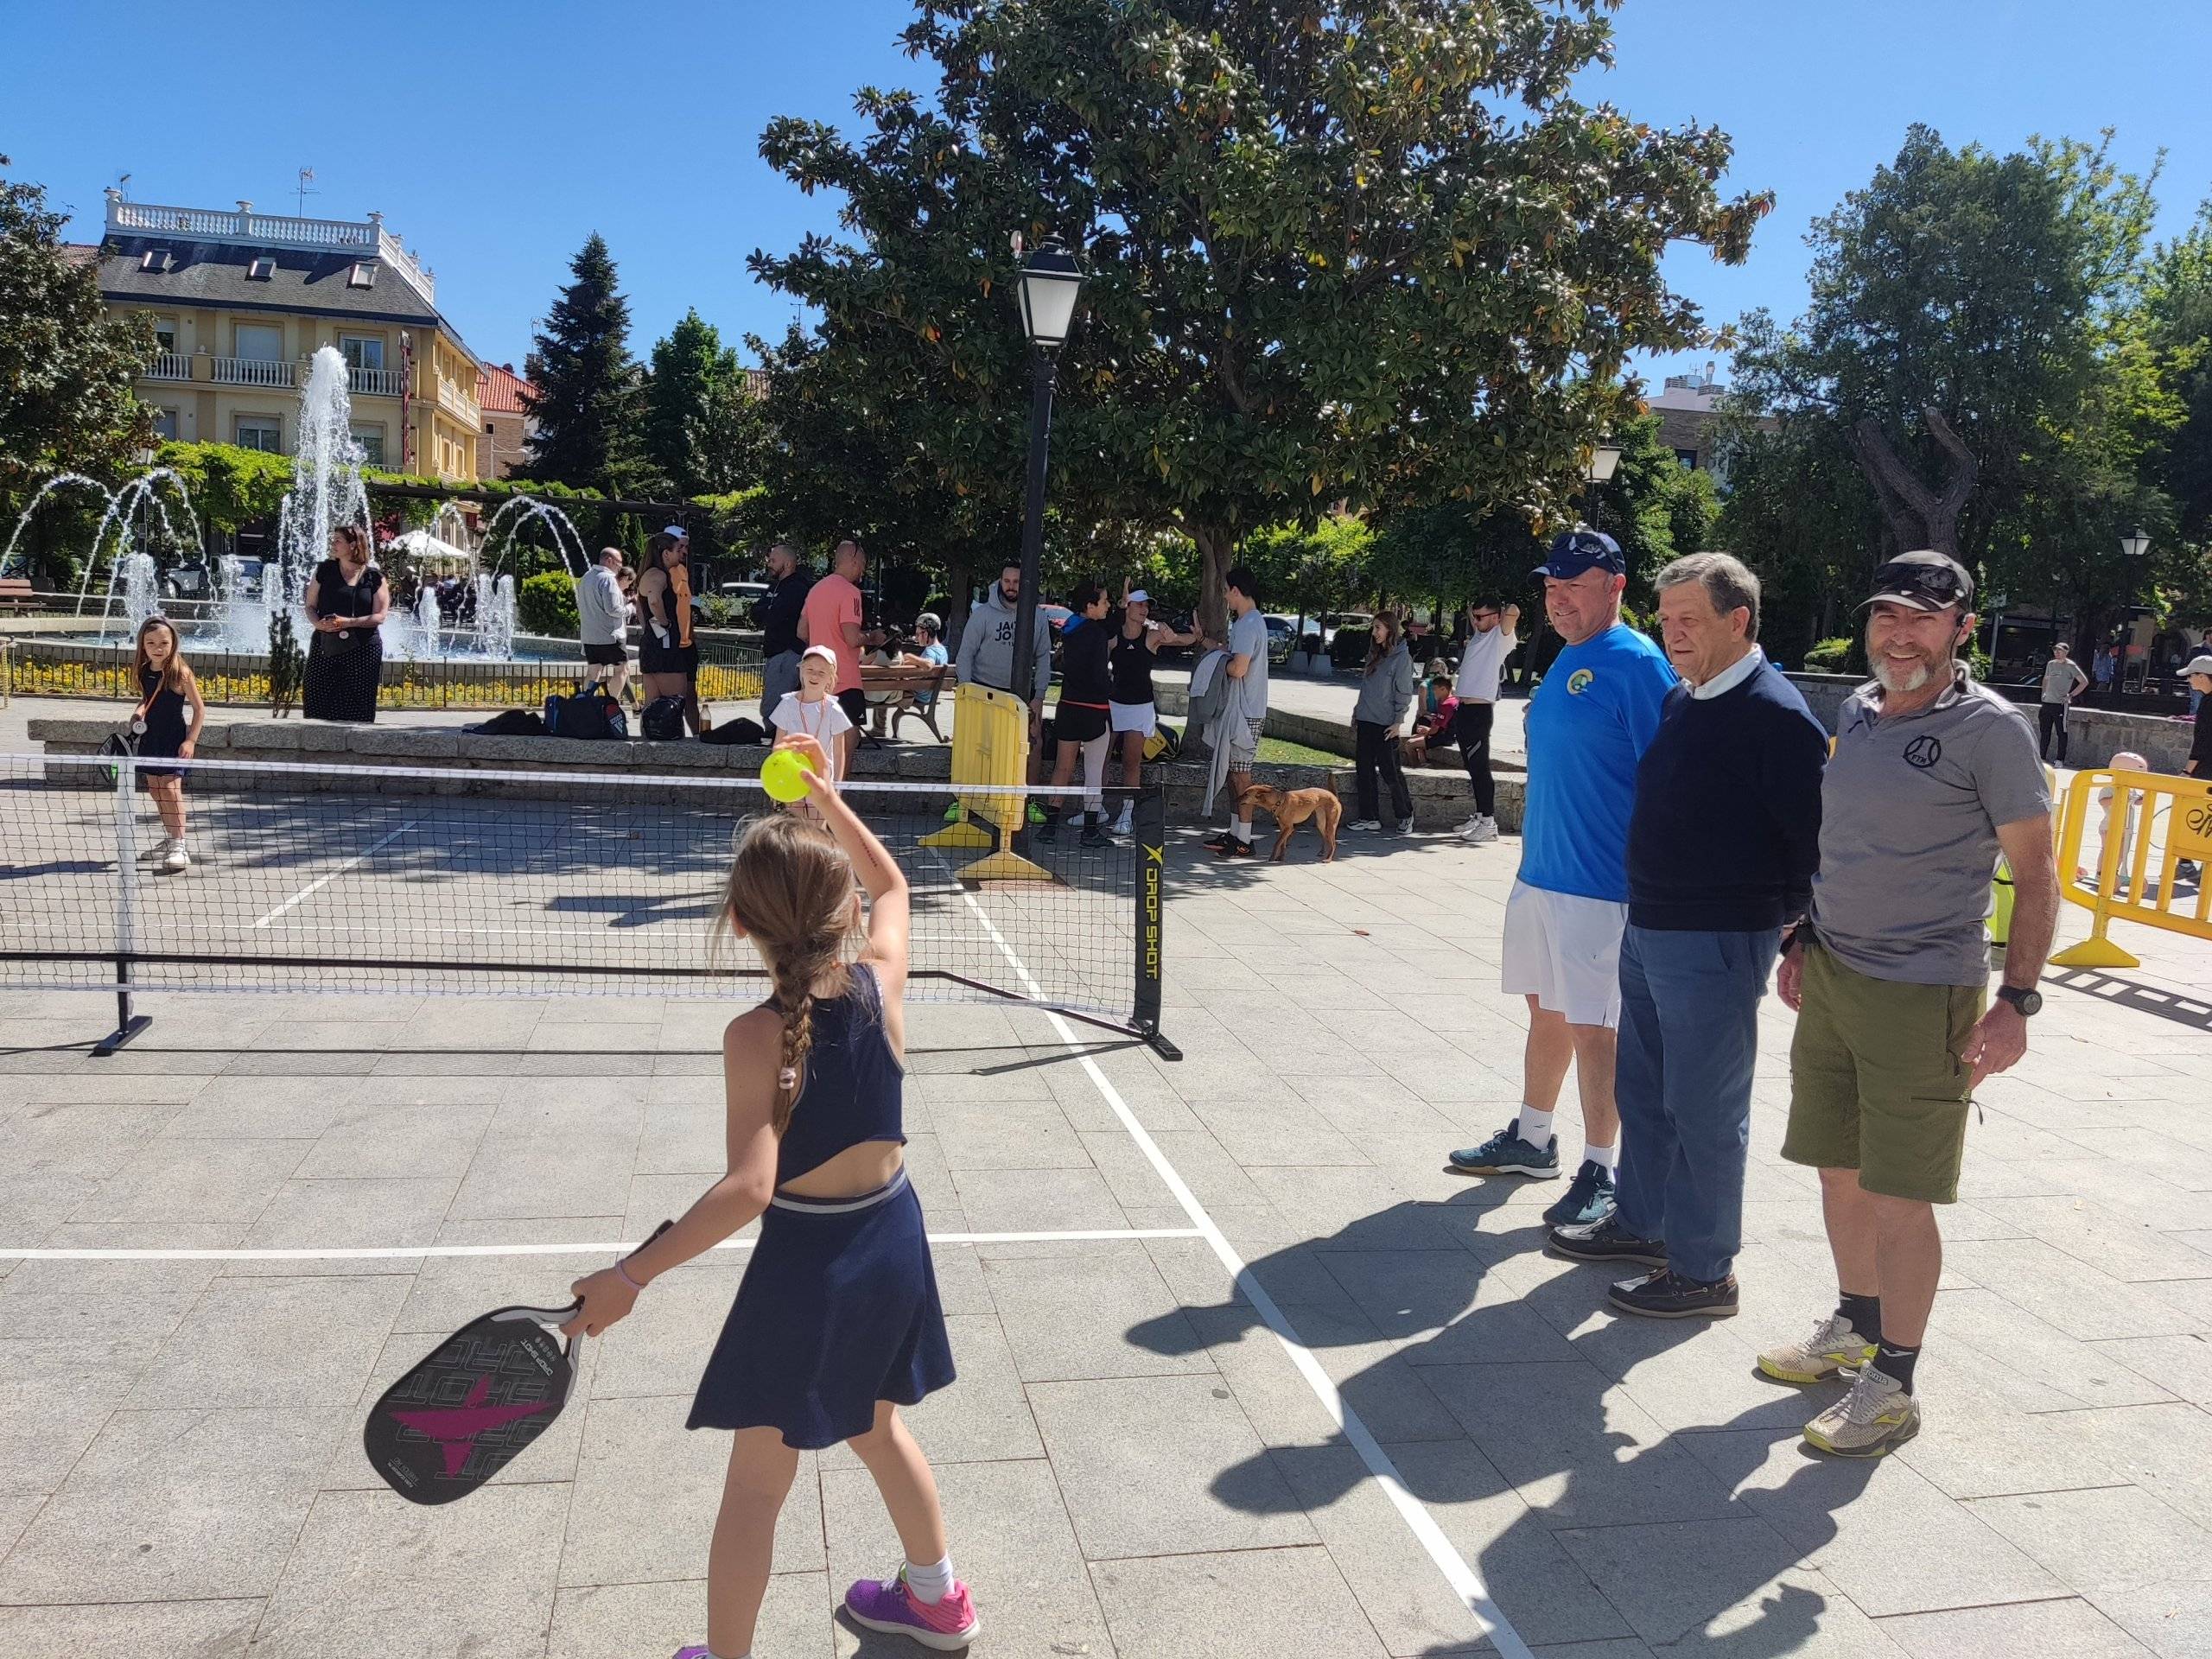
x=67, y=368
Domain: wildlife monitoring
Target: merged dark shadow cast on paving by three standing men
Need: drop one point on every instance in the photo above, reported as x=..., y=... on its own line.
x=1503, y=1390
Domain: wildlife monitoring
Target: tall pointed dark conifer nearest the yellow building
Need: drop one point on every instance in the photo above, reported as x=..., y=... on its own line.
x=585, y=384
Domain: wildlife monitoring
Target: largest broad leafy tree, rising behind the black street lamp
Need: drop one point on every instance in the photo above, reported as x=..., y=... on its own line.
x=1342, y=251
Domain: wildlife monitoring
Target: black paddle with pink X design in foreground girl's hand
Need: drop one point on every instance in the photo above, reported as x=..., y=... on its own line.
x=474, y=1404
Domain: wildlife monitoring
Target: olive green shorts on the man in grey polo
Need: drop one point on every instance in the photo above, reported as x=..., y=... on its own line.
x=1877, y=1083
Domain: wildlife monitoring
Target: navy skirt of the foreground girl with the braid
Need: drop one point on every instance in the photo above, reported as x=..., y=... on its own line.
x=837, y=1311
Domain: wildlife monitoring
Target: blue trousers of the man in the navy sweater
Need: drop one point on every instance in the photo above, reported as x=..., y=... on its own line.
x=1684, y=1087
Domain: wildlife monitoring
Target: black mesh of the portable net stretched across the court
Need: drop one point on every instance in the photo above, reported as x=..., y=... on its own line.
x=508, y=884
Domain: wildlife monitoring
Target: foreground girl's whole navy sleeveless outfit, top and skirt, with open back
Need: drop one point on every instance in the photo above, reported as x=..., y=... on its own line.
x=839, y=1304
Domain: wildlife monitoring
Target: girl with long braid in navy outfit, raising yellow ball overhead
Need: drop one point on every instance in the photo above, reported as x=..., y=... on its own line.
x=837, y=1322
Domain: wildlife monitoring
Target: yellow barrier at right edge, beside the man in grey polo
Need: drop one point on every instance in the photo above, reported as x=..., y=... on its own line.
x=2129, y=842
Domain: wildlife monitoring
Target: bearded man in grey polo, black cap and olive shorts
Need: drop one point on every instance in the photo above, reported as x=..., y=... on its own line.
x=1930, y=780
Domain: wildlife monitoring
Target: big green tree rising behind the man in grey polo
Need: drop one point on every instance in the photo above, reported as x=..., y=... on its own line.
x=1957, y=326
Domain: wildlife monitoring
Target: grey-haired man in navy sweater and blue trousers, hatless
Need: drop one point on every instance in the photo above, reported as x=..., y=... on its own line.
x=1722, y=848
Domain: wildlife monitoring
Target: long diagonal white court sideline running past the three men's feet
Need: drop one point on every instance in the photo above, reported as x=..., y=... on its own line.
x=1463, y=1578
